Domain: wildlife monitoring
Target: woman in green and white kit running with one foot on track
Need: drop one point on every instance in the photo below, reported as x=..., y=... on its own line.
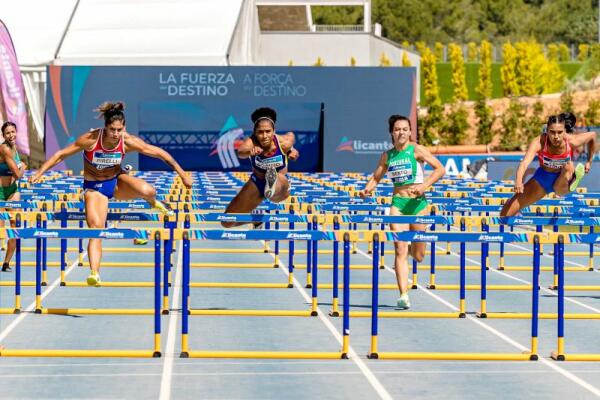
x=404, y=165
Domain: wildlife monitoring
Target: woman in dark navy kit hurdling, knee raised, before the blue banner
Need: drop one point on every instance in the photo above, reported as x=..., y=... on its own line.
x=269, y=154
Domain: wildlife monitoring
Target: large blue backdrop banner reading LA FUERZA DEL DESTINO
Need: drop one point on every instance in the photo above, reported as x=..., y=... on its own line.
x=200, y=114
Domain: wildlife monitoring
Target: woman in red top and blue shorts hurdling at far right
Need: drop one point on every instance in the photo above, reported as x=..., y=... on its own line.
x=556, y=172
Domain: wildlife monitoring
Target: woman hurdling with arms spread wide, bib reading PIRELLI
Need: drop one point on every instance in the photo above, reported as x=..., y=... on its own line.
x=103, y=152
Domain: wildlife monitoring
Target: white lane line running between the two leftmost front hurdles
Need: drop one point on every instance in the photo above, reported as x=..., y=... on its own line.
x=167, y=374
